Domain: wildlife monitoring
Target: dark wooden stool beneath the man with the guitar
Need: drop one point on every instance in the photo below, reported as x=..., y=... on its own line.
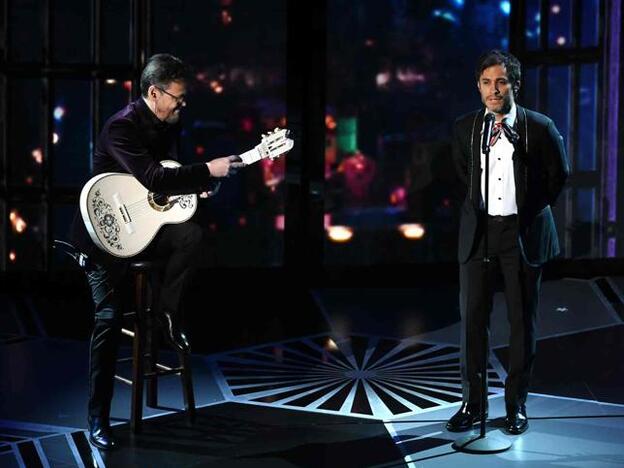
x=144, y=331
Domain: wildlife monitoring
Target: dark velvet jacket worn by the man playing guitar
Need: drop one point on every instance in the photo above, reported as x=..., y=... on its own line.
x=133, y=141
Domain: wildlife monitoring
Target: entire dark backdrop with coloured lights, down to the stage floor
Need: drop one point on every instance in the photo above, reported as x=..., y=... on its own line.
x=370, y=89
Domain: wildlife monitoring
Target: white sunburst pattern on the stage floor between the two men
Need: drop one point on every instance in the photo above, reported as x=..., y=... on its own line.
x=361, y=376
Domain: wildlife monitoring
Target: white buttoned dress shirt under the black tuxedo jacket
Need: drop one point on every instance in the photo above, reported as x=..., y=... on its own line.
x=502, y=200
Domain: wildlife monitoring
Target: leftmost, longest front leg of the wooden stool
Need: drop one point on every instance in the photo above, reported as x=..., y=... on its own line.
x=136, y=416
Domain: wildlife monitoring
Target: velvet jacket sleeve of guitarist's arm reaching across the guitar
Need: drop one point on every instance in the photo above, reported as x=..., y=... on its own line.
x=125, y=146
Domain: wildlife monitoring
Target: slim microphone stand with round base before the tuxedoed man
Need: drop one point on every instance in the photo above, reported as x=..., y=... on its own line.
x=484, y=443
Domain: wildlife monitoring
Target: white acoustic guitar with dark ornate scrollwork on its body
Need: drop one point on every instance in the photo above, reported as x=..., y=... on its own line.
x=122, y=216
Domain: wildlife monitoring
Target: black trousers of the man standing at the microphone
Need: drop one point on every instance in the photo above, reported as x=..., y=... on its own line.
x=521, y=289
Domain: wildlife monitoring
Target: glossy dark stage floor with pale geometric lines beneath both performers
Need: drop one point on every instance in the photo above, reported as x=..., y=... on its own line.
x=375, y=390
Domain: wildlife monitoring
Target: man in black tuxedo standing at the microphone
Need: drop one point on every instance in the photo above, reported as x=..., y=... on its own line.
x=528, y=168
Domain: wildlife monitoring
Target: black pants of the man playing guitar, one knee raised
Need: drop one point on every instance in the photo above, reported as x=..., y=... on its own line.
x=179, y=244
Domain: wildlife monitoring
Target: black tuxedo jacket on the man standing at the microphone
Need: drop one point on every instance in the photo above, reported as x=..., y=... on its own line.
x=540, y=171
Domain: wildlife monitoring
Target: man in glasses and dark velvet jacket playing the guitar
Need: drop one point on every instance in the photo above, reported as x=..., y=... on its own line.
x=133, y=141
